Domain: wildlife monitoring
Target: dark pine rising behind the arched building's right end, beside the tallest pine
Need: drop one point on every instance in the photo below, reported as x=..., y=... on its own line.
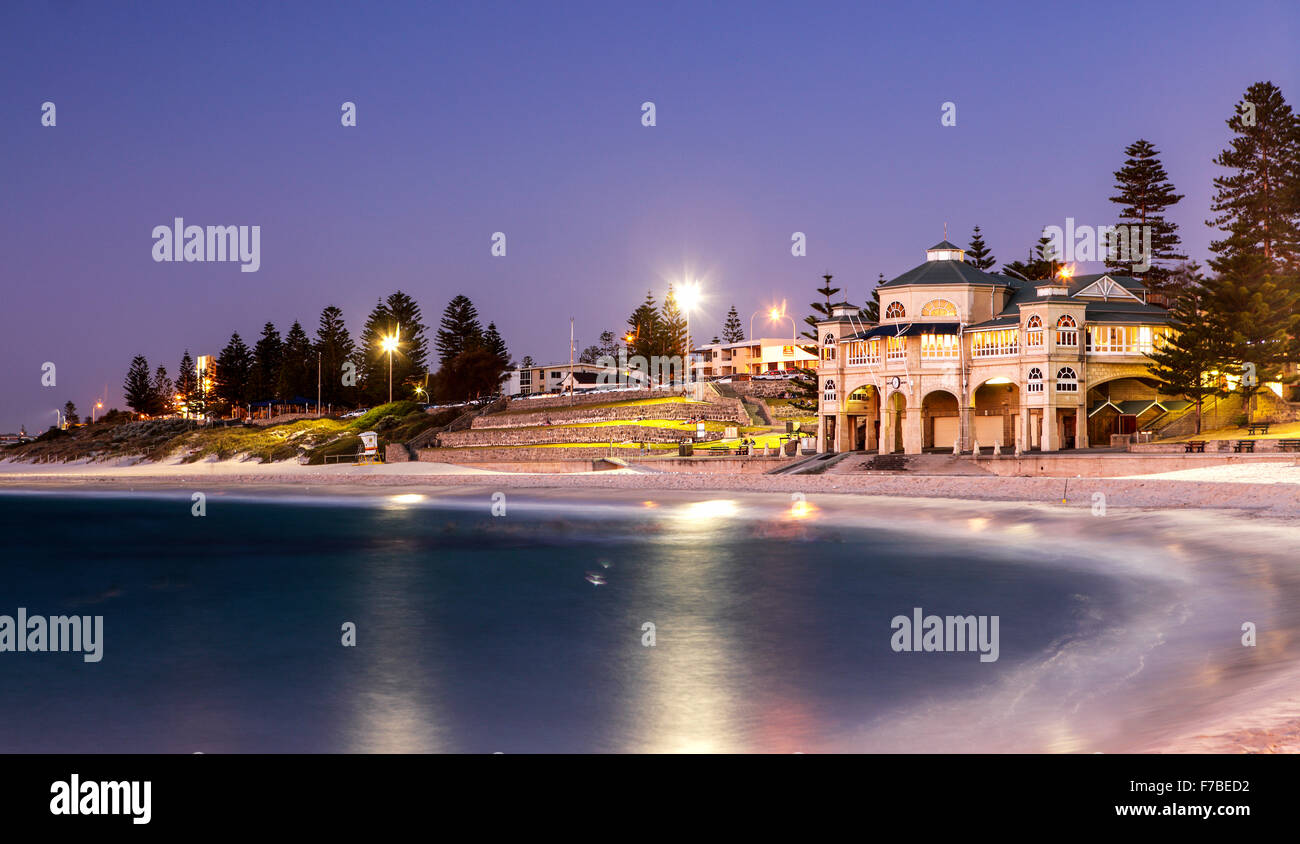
x=1145, y=193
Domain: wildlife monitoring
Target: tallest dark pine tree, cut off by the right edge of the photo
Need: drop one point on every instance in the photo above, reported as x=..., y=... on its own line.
x=1256, y=265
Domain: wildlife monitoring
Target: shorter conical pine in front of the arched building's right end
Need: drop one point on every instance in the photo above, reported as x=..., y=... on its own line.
x=1190, y=362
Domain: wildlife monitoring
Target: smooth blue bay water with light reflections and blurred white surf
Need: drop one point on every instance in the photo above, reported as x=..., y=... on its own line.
x=772, y=622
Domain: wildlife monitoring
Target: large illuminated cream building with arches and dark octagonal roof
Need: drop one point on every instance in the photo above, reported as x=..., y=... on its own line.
x=963, y=358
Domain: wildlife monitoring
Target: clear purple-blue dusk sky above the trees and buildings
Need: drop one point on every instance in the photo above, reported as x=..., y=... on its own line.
x=526, y=119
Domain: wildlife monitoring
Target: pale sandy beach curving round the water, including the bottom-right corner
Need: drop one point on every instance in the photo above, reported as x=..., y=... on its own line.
x=1267, y=494
